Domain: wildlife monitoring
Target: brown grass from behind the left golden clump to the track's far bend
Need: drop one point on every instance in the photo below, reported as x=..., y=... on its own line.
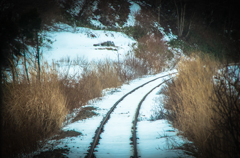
x=92, y=77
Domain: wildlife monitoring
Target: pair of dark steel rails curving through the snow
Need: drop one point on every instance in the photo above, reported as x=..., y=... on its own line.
x=107, y=117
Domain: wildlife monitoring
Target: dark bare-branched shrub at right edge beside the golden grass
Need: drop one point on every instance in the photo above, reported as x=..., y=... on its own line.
x=227, y=109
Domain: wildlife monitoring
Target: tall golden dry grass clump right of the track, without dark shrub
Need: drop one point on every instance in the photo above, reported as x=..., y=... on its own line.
x=189, y=94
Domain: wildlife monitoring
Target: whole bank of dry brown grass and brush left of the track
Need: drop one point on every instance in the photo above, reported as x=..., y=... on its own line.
x=35, y=110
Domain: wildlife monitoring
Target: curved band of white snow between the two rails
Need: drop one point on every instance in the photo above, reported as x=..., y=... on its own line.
x=115, y=140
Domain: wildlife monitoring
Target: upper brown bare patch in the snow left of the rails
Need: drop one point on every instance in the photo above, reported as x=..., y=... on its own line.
x=85, y=113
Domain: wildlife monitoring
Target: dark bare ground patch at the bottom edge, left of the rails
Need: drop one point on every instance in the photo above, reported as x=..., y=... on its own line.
x=56, y=153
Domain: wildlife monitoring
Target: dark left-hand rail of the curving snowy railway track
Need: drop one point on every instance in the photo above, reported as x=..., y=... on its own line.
x=105, y=119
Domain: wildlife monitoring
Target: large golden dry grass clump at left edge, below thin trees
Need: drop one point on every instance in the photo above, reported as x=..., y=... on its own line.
x=31, y=111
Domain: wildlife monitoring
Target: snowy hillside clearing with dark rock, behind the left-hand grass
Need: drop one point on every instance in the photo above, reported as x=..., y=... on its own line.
x=80, y=43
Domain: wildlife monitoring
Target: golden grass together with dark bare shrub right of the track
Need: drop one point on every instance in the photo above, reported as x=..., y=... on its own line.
x=206, y=108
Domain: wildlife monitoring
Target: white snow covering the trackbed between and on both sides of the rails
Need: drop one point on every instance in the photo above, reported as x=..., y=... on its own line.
x=152, y=134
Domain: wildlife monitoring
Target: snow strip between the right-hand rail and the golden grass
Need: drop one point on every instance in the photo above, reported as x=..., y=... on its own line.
x=155, y=137
